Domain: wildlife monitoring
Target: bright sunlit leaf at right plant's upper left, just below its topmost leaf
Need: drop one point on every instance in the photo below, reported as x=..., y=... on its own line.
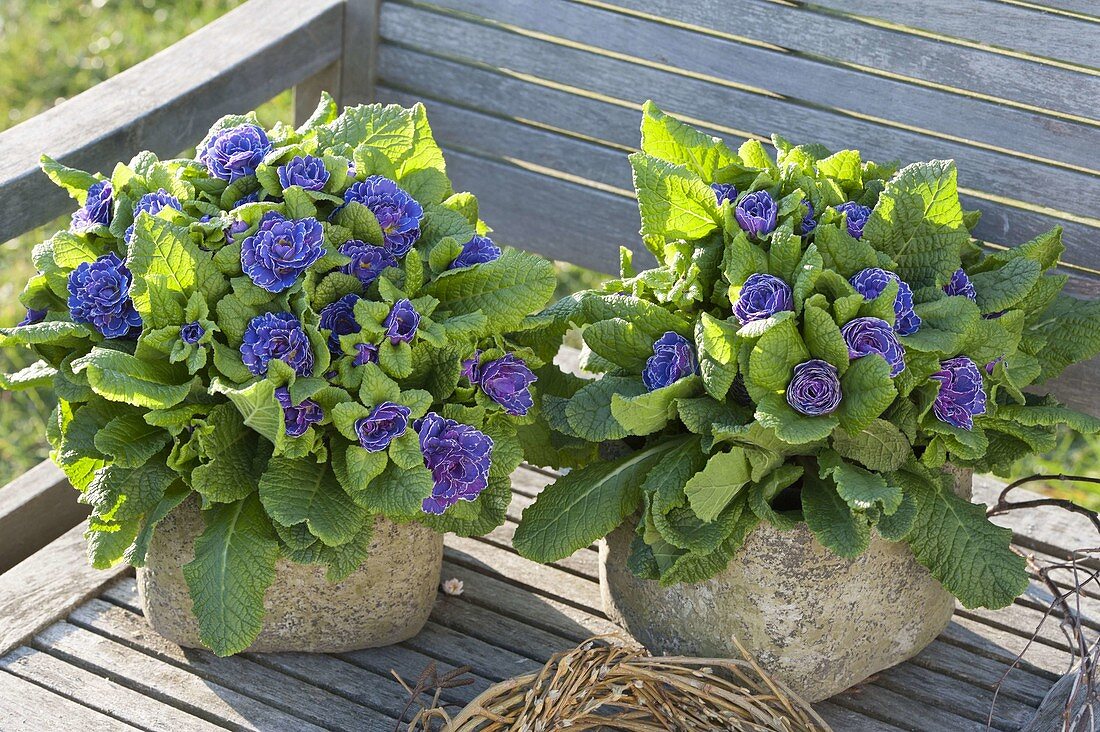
x=675, y=202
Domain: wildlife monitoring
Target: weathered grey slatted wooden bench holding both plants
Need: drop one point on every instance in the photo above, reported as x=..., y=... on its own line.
x=537, y=105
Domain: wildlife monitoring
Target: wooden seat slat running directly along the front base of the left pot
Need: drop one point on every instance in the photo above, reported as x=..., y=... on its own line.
x=238, y=673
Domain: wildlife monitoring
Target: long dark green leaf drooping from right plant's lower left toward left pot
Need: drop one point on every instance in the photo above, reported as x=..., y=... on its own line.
x=585, y=506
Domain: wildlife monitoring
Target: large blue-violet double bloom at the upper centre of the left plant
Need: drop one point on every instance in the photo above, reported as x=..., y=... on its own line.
x=281, y=250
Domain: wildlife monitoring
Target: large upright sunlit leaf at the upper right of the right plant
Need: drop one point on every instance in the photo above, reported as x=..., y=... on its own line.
x=919, y=223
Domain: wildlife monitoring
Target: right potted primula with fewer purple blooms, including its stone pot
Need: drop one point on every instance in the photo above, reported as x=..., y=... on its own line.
x=799, y=392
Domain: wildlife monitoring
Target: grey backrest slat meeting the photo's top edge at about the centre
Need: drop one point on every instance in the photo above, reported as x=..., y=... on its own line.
x=799, y=79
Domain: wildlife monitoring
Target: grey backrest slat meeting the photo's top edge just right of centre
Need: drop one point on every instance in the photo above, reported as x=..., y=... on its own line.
x=975, y=72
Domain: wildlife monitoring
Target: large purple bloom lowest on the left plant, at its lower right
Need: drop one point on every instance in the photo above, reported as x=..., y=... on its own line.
x=459, y=458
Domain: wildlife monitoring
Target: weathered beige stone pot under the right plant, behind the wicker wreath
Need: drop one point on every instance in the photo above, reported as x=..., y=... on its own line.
x=818, y=622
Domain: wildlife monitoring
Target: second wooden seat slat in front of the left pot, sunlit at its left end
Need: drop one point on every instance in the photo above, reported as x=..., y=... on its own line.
x=172, y=684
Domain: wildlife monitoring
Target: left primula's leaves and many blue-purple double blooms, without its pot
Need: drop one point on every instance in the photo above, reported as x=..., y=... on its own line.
x=302, y=329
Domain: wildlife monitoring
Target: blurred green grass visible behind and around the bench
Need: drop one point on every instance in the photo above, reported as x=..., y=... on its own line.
x=52, y=50
